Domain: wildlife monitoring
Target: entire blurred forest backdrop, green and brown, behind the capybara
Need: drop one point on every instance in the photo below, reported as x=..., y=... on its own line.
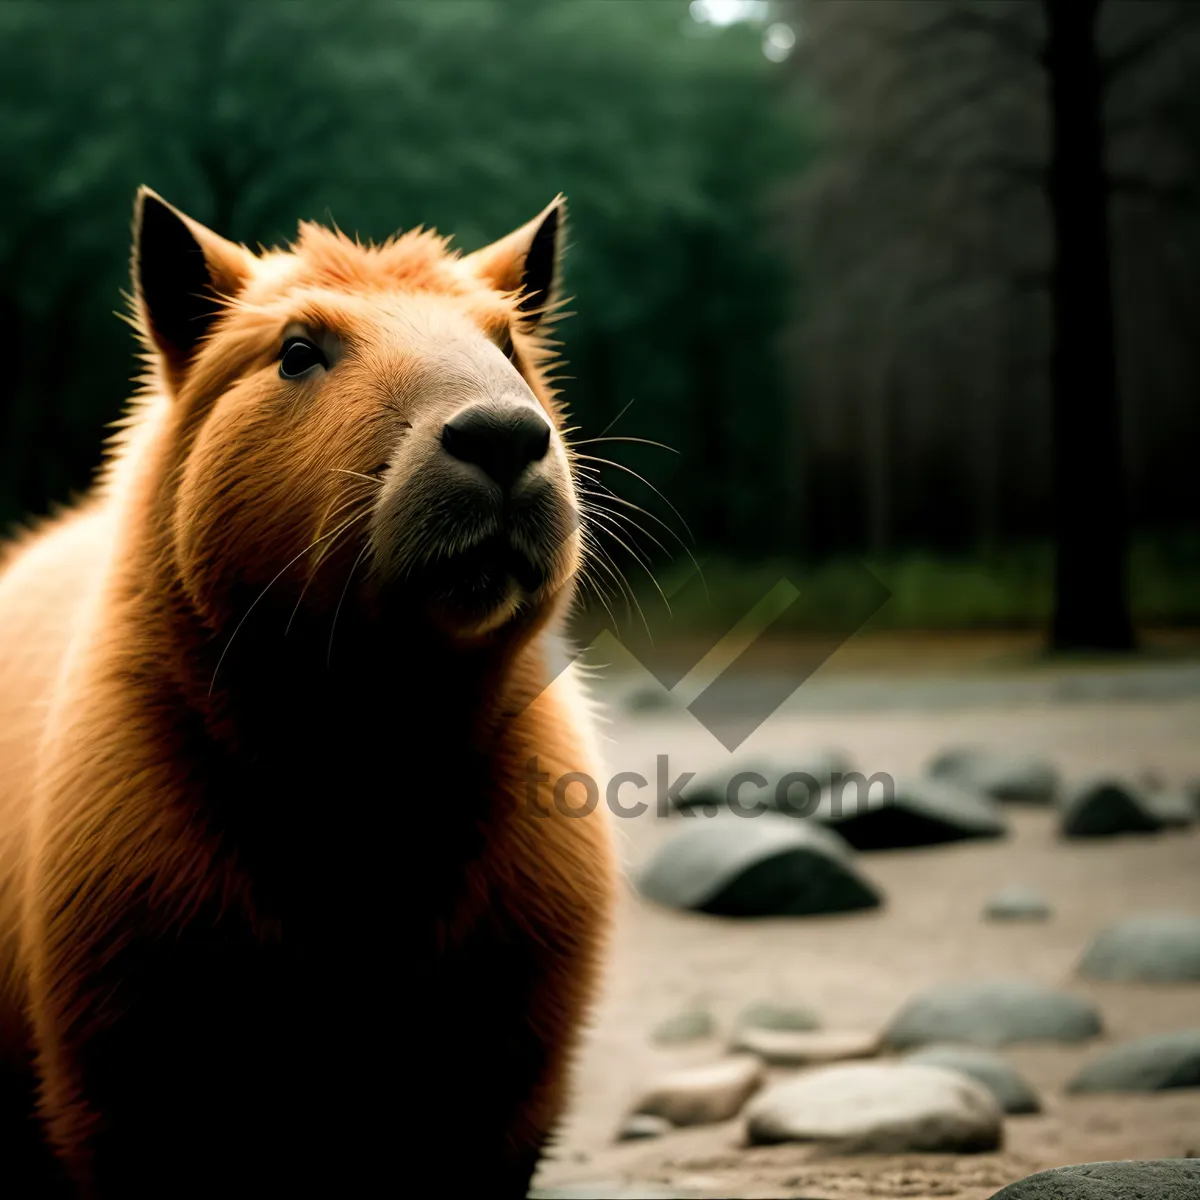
x=817, y=248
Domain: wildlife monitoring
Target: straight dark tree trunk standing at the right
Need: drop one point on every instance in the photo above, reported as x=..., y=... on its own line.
x=1091, y=587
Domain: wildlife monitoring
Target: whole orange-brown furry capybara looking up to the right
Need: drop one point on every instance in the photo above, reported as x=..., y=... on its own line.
x=277, y=914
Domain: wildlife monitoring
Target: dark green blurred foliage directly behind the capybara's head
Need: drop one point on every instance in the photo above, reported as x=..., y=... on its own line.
x=469, y=117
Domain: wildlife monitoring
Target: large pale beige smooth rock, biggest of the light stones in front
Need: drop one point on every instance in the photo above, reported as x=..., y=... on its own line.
x=879, y=1108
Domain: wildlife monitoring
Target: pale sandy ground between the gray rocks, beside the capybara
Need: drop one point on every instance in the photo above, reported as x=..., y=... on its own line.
x=857, y=970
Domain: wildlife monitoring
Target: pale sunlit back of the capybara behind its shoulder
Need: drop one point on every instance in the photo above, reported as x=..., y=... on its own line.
x=44, y=583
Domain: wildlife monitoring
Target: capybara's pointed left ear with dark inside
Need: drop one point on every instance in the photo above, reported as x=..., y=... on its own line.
x=182, y=272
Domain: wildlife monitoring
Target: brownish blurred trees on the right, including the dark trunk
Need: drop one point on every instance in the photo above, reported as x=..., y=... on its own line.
x=1005, y=211
